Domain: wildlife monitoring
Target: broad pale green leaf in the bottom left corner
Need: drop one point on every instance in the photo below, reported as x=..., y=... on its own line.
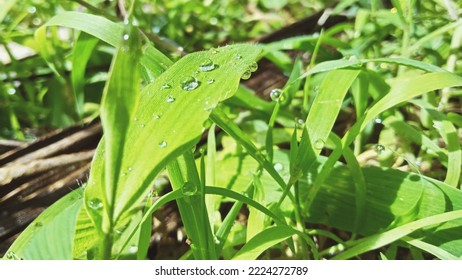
x=50, y=236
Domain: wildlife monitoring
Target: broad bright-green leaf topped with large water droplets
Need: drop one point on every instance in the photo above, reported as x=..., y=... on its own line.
x=169, y=121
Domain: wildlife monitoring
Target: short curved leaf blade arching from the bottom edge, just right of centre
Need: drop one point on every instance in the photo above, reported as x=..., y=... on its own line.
x=262, y=241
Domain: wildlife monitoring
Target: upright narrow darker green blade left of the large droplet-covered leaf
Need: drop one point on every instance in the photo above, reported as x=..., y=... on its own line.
x=119, y=103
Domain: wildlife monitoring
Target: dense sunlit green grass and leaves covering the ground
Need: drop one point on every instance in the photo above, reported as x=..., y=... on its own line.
x=358, y=154
